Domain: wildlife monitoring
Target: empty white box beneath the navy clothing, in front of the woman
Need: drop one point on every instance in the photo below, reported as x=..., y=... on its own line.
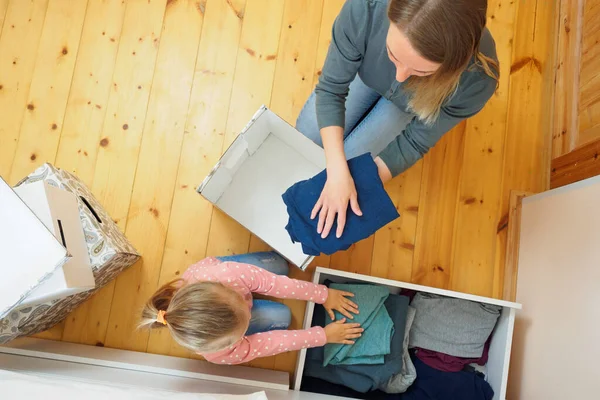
x=267, y=157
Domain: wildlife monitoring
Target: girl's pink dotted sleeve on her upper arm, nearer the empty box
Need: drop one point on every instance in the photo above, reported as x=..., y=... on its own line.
x=258, y=280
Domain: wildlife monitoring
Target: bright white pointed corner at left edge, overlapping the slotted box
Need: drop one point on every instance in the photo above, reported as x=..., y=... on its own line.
x=29, y=251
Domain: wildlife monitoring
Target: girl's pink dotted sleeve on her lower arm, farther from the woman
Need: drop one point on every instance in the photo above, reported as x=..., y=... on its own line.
x=268, y=344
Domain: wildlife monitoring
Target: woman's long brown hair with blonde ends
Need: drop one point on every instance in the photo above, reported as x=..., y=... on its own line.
x=447, y=32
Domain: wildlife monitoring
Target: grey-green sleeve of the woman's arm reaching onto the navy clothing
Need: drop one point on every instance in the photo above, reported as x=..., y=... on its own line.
x=341, y=65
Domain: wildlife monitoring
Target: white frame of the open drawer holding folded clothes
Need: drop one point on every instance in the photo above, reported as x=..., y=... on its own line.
x=499, y=354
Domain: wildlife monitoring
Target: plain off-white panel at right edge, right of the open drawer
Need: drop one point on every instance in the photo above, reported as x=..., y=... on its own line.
x=556, y=347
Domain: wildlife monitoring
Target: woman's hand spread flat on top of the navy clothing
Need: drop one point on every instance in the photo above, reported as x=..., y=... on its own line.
x=339, y=190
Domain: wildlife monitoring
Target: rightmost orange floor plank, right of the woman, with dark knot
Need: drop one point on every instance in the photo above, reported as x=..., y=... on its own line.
x=527, y=156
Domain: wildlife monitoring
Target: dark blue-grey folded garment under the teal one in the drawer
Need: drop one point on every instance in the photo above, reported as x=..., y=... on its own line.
x=362, y=377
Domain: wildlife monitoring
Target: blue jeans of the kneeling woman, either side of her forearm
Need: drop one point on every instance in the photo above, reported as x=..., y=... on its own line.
x=372, y=122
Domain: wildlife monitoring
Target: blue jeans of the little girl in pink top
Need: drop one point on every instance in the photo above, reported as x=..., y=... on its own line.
x=267, y=315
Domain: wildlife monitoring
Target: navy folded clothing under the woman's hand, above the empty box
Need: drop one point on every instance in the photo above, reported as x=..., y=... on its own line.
x=375, y=204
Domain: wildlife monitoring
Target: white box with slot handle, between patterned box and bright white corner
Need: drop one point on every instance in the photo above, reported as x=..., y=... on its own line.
x=59, y=212
